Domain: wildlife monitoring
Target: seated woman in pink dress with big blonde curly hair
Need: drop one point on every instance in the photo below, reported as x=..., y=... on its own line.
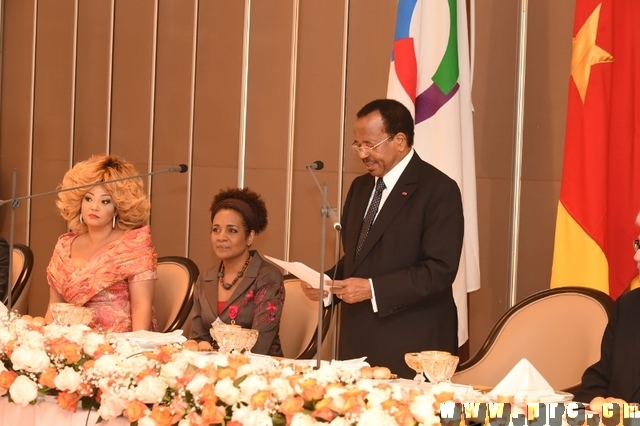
x=108, y=261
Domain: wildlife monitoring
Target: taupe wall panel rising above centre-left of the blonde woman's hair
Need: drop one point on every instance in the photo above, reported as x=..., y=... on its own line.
x=93, y=78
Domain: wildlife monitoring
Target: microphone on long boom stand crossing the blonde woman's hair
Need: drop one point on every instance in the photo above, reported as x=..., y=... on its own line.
x=15, y=202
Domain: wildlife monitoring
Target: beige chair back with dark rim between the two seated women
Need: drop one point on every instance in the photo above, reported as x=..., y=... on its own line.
x=173, y=296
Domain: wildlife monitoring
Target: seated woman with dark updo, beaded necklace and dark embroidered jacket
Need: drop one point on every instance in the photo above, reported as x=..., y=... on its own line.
x=243, y=288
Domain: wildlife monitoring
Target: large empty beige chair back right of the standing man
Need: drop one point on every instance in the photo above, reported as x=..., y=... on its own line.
x=558, y=330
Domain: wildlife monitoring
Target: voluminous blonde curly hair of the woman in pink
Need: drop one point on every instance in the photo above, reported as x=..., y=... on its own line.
x=129, y=197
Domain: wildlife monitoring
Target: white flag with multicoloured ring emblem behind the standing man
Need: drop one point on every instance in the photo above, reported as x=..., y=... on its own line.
x=430, y=74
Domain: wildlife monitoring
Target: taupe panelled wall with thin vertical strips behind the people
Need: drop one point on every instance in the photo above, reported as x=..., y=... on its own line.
x=246, y=93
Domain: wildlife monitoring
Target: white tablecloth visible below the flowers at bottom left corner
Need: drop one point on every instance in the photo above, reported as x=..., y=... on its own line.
x=48, y=413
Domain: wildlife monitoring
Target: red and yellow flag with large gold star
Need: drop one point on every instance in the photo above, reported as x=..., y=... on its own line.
x=600, y=192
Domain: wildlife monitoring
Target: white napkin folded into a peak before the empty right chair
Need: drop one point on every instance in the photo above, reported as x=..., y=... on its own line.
x=523, y=381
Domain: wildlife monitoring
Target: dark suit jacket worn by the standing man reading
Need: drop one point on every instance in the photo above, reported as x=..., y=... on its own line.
x=412, y=254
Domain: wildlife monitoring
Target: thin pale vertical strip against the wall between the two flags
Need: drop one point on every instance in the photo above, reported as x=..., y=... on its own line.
x=517, y=157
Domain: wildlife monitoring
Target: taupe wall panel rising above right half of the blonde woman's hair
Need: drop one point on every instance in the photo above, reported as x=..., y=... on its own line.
x=133, y=73
